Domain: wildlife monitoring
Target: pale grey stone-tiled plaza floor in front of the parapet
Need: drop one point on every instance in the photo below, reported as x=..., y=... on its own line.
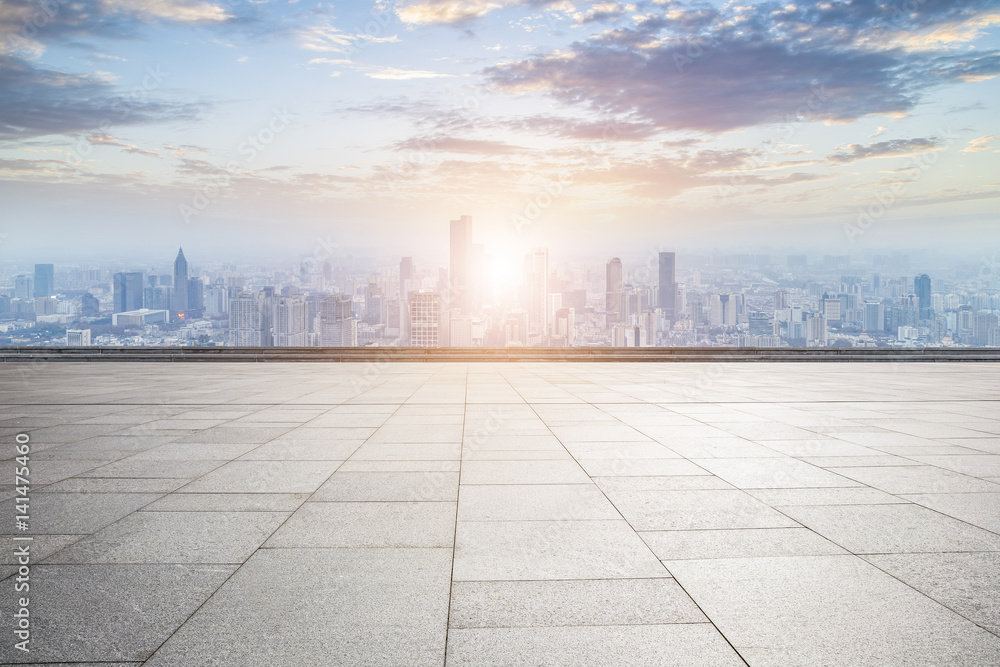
x=225, y=514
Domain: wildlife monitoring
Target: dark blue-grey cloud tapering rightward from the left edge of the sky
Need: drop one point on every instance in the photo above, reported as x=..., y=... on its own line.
x=37, y=102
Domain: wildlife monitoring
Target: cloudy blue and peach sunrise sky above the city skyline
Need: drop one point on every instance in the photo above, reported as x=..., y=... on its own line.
x=244, y=127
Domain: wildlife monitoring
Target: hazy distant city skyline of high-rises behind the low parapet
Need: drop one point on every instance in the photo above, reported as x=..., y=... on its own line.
x=724, y=300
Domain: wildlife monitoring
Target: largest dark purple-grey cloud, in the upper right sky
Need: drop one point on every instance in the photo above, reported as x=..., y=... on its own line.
x=720, y=70
